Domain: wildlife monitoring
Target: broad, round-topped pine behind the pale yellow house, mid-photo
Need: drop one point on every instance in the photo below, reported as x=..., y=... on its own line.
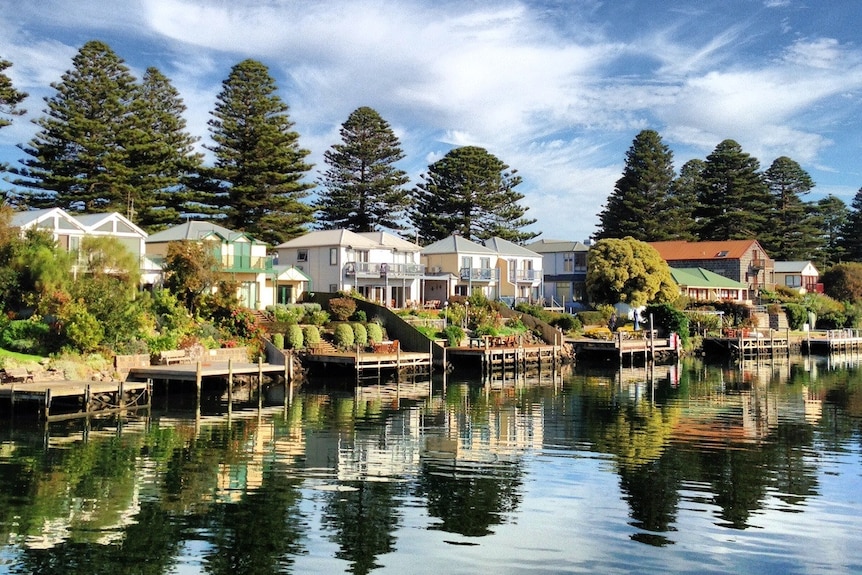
x=469, y=192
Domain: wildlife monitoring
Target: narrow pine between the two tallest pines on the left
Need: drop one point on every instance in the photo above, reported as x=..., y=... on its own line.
x=161, y=152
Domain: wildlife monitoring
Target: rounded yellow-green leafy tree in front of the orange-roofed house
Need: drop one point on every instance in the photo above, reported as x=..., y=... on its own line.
x=630, y=271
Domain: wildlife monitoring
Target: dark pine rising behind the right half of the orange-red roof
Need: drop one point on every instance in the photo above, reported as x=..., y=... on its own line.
x=734, y=200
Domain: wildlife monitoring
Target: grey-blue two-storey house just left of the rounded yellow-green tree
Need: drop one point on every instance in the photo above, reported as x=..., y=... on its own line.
x=564, y=264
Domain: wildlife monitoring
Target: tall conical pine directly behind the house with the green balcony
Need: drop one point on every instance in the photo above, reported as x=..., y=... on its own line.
x=259, y=165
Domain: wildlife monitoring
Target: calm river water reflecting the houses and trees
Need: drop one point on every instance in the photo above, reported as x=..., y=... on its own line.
x=688, y=469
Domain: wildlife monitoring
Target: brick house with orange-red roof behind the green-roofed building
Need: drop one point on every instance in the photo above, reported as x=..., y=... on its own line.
x=744, y=261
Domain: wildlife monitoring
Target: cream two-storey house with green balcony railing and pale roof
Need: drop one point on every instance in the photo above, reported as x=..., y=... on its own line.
x=241, y=258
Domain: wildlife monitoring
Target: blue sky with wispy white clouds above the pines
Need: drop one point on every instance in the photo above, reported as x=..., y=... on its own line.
x=557, y=89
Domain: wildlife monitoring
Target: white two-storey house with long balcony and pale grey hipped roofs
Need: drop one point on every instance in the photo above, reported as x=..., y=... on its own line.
x=380, y=266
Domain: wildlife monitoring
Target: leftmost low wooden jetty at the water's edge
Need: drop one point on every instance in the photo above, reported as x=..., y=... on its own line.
x=56, y=400
